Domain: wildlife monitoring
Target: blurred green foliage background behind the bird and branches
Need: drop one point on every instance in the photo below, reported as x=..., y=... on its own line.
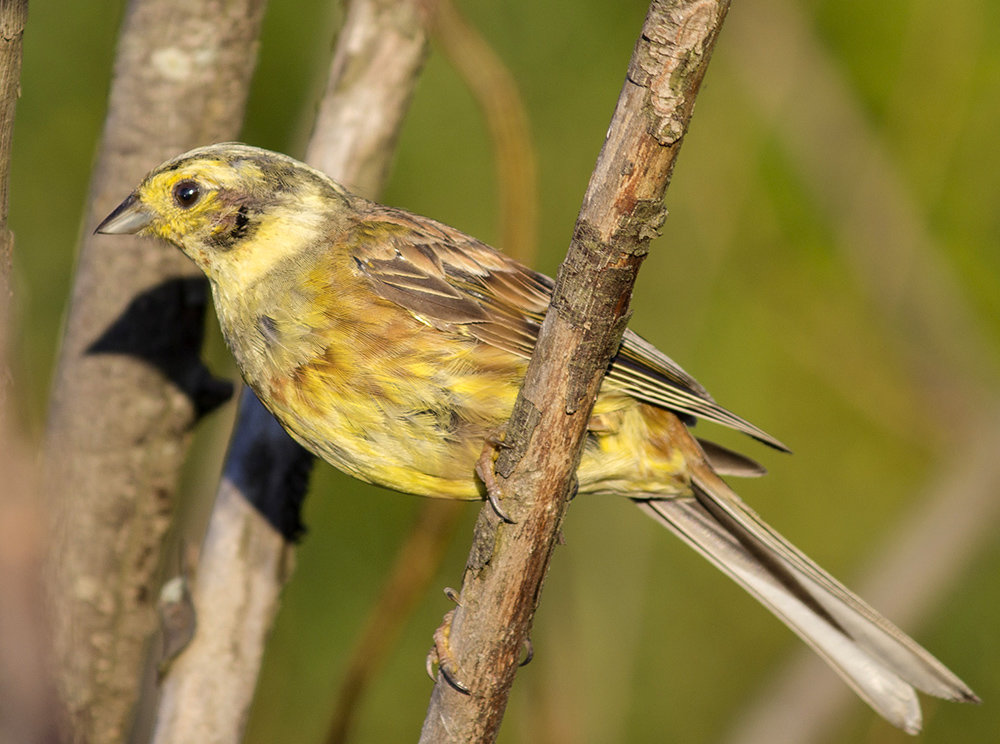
x=830, y=270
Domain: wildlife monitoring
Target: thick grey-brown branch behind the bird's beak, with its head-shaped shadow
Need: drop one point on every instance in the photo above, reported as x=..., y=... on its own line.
x=129, y=384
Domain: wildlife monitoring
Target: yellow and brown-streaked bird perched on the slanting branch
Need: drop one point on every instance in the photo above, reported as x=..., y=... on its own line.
x=393, y=347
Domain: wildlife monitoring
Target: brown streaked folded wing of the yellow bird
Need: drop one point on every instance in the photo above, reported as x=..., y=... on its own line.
x=458, y=283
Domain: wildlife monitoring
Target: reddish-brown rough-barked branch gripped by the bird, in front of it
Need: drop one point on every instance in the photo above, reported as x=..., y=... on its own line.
x=622, y=210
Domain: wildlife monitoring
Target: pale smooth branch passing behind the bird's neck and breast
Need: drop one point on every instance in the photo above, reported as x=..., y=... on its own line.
x=379, y=54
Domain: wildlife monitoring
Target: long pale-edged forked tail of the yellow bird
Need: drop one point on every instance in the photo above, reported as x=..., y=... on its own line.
x=880, y=662
